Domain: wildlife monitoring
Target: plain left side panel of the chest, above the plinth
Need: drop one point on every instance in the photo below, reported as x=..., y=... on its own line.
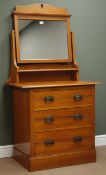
x=21, y=121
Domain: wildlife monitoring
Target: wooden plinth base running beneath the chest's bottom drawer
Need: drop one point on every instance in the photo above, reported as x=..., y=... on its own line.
x=53, y=161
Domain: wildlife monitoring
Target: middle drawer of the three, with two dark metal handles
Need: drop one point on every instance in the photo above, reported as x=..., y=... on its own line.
x=62, y=118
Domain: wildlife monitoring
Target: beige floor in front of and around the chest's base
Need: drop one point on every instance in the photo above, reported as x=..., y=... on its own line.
x=10, y=167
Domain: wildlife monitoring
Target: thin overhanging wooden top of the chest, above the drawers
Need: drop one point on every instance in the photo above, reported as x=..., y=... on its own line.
x=27, y=85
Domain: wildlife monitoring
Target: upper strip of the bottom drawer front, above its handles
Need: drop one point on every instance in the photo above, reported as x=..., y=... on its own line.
x=61, y=135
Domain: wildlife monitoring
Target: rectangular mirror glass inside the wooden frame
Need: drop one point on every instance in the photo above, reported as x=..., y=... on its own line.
x=43, y=40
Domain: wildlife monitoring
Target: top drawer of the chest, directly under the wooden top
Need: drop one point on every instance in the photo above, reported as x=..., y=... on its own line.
x=62, y=97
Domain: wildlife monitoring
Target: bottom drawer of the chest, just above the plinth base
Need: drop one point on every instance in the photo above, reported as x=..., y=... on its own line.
x=62, y=141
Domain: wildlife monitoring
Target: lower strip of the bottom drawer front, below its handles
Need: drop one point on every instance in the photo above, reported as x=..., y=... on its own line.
x=62, y=146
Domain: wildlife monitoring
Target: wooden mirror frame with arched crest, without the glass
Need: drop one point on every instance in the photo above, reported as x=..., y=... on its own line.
x=50, y=13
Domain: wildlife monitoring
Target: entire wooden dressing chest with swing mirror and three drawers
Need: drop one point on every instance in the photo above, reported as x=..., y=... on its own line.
x=54, y=112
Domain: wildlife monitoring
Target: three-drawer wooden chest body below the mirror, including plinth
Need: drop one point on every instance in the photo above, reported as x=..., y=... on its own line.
x=54, y=125
